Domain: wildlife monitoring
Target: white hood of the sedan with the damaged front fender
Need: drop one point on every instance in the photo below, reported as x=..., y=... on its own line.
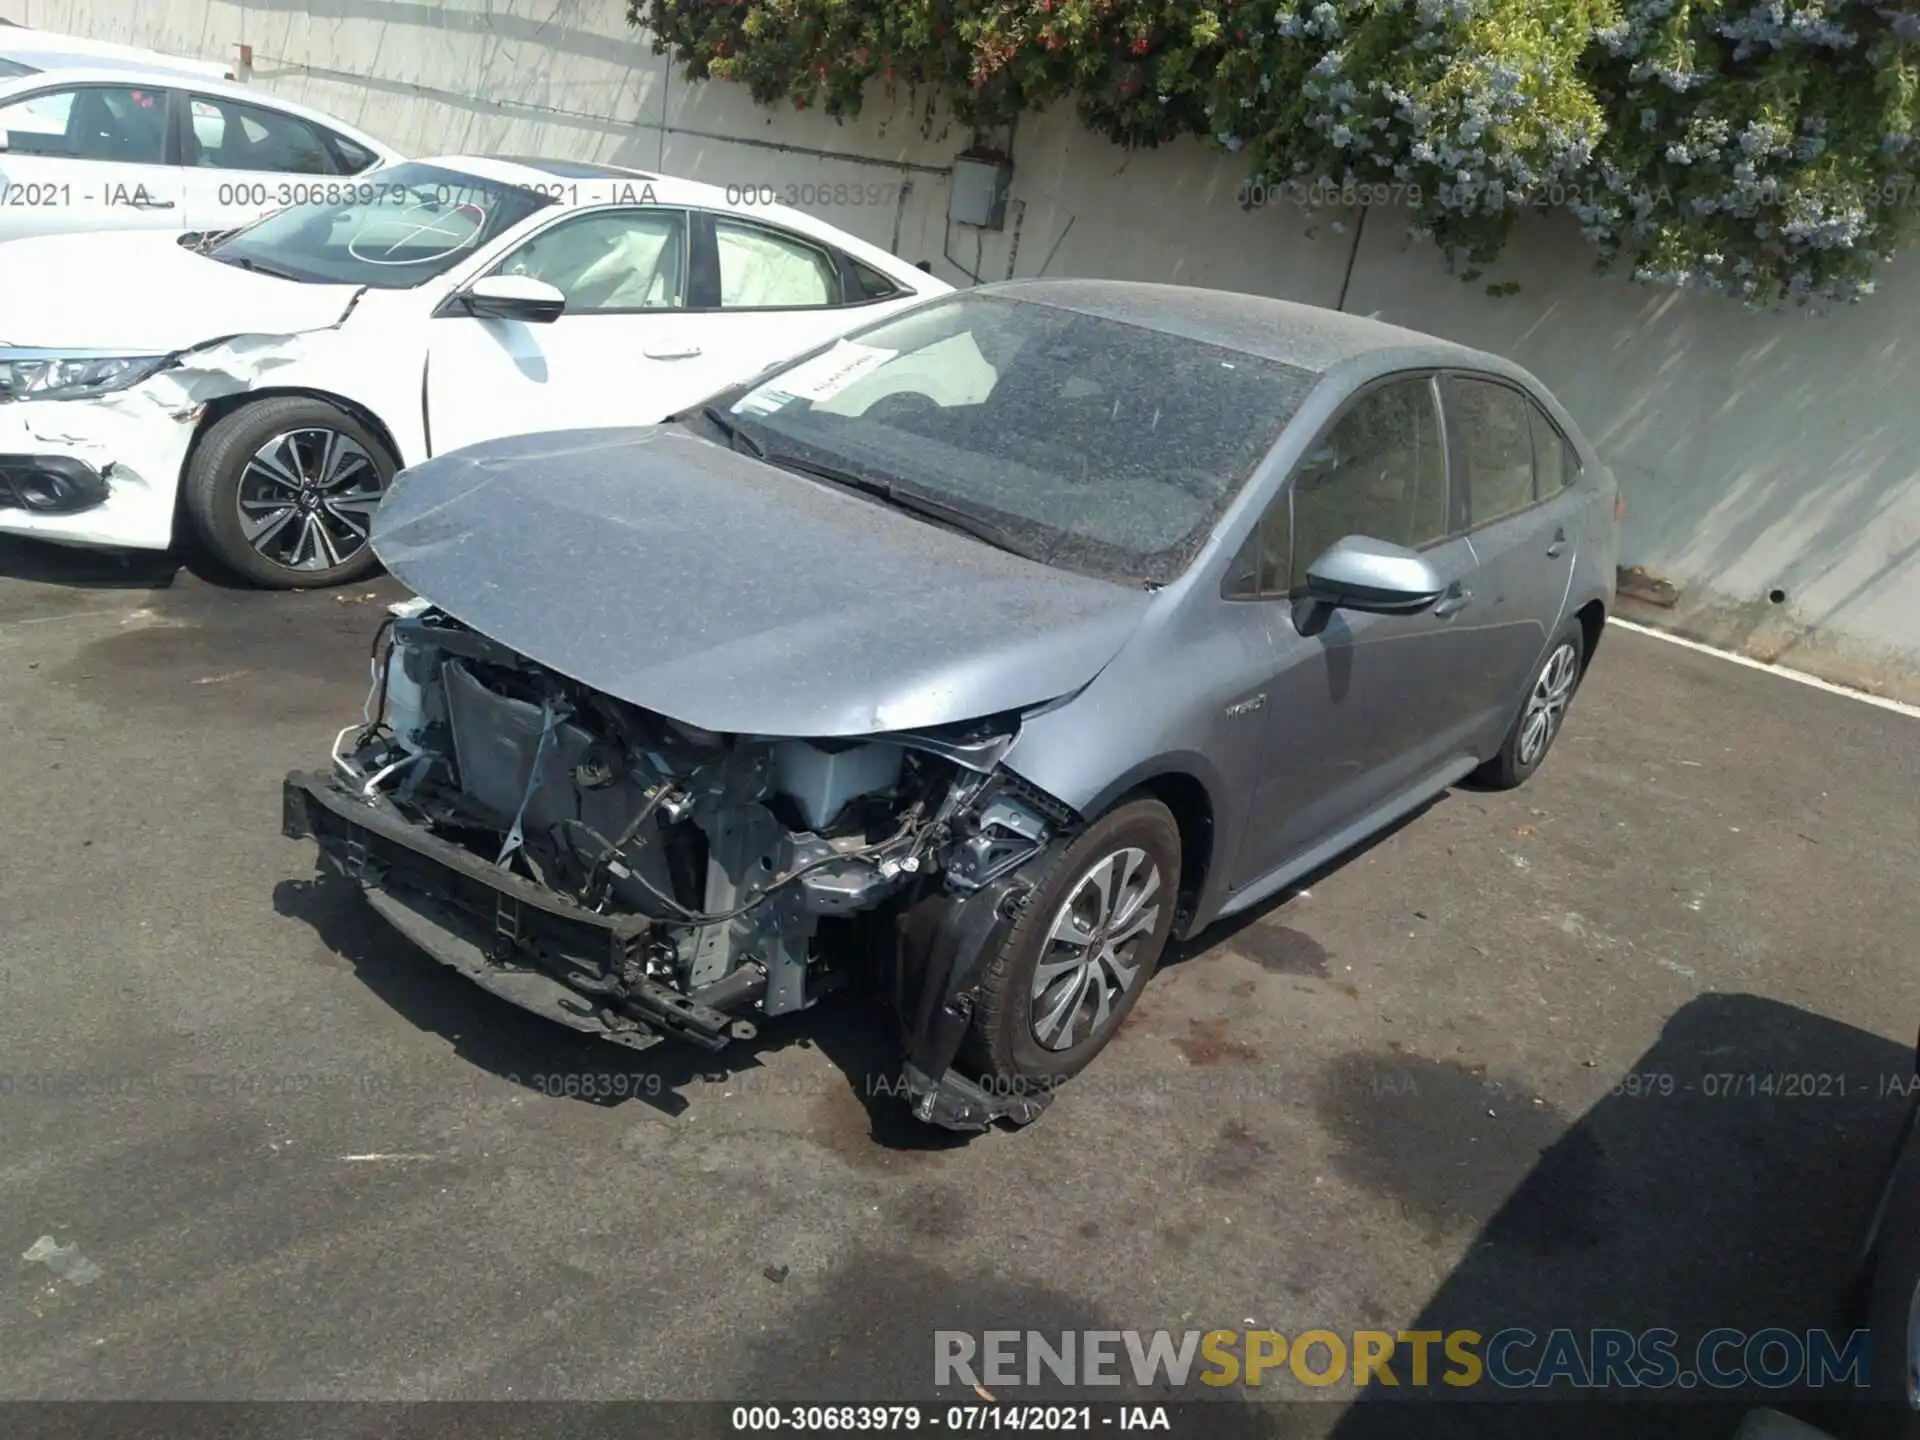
x=145, y=293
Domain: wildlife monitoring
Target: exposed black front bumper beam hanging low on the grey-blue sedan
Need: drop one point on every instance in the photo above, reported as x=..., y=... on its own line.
x=506, y=934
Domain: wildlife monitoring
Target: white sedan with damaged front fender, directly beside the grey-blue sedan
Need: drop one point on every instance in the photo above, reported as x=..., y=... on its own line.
x=268, y=385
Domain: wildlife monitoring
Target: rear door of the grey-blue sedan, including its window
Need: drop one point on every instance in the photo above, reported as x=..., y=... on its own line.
x=1524, y=525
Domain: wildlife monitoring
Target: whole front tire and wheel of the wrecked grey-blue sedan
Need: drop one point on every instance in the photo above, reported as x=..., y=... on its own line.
x=1022, y=1040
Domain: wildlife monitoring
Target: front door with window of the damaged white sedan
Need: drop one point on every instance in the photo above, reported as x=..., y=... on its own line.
x=627, y=350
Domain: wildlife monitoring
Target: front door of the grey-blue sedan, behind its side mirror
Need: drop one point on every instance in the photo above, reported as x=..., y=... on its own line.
x=1360, y=708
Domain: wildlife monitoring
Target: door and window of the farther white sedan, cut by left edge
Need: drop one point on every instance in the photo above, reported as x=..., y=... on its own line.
x=87, y=156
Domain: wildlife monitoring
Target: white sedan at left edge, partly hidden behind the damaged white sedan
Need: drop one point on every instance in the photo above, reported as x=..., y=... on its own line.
x=114, y=147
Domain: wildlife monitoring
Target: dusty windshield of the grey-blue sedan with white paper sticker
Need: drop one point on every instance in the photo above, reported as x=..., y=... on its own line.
x=1105, y=448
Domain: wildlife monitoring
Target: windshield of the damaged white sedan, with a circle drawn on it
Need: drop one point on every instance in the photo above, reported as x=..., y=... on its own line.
x=389, y=229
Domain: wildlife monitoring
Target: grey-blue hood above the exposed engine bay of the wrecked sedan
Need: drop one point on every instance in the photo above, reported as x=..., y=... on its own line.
x=702, y=585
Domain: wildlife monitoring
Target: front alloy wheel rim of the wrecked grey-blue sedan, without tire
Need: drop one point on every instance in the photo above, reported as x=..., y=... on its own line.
x=1092, y=949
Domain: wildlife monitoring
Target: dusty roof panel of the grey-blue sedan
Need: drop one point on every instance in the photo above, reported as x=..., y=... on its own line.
x=1308, y=337
